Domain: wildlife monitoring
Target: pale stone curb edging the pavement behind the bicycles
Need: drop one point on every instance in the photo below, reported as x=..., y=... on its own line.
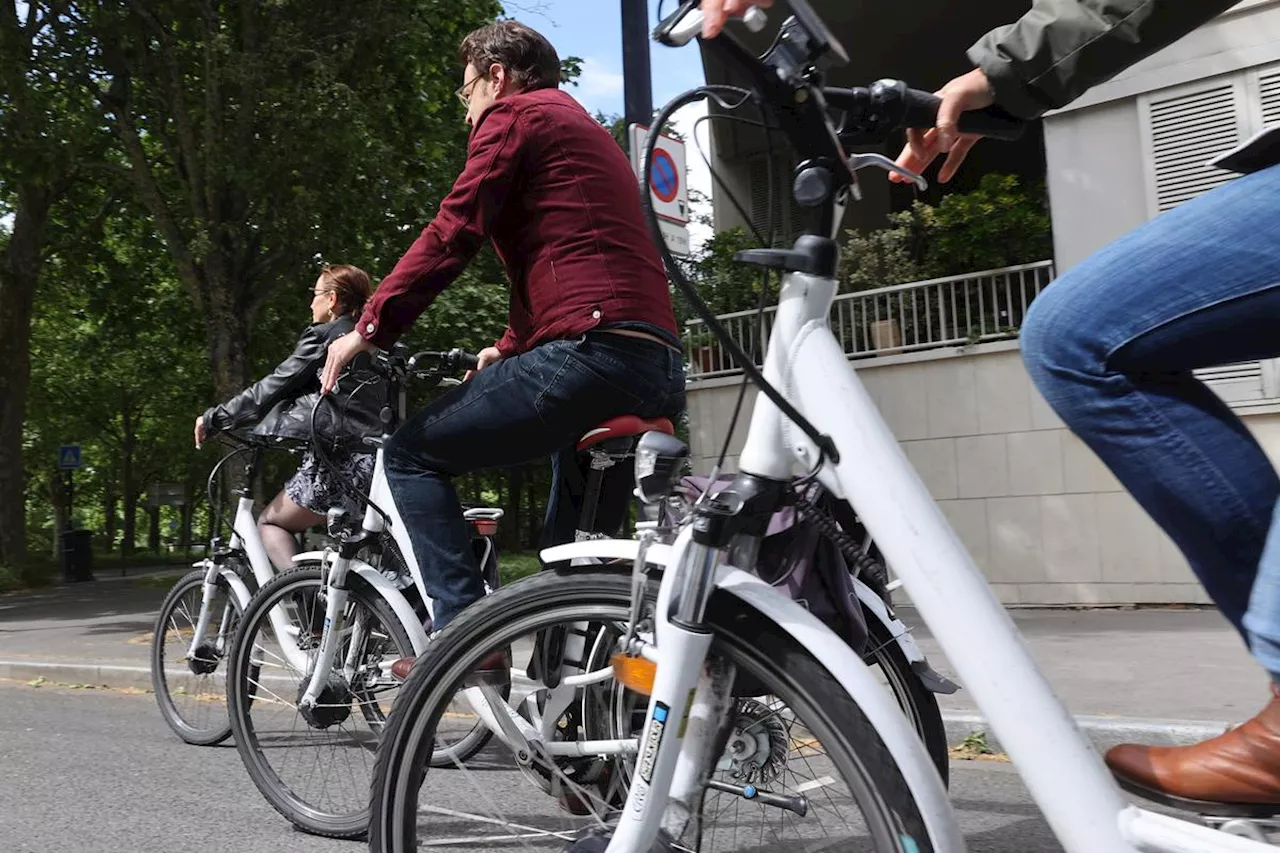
x=1103, y=732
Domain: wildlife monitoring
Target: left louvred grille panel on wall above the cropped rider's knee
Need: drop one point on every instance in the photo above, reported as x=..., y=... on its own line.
x=1186, y=134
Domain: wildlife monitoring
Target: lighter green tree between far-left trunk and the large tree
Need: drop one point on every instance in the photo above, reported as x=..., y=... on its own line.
x=120, y=368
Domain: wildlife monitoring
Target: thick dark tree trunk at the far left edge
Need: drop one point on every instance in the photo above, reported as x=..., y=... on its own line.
x=20, y=273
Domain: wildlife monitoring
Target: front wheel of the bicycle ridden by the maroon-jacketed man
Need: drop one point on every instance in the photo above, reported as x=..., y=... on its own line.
x=314, y=765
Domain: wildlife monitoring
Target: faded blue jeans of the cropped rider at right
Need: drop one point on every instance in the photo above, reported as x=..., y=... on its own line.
x=1112, y=346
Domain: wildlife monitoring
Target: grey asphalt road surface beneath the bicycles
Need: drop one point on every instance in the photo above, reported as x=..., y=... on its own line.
x=99, y=772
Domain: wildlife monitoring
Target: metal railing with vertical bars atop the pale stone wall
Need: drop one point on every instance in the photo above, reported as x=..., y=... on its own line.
x=956, y=311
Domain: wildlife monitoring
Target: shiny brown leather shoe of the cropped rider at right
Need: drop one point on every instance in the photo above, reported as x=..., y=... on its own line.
x=1238, y=773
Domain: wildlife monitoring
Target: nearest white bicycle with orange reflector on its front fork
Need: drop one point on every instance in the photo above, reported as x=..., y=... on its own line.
x=705, y=711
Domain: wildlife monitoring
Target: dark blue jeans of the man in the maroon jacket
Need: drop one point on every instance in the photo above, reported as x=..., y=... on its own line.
x=515, y=412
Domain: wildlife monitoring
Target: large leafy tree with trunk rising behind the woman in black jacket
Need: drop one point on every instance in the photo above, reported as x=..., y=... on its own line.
x=266, y=136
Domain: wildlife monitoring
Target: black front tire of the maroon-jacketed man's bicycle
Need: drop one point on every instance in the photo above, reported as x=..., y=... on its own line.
x=241, y=692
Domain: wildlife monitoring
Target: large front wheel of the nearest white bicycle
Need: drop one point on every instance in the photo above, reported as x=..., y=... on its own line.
x=802, y=765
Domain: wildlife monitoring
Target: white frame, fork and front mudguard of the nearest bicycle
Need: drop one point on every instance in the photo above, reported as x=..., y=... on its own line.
x=1066, y=777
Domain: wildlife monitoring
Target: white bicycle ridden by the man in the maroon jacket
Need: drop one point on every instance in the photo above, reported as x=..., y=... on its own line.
x=309, y=681
